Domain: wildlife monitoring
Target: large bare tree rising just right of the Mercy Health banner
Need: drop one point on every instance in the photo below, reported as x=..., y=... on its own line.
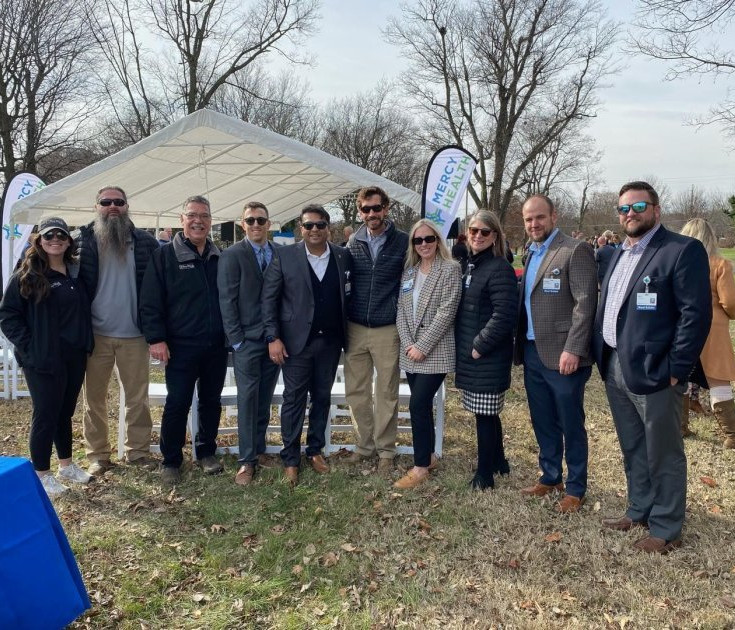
x=484, y=70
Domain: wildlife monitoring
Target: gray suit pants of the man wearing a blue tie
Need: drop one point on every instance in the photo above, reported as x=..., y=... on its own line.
x=255, y=377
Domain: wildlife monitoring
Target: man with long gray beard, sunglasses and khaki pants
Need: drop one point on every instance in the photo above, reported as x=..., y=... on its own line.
x=113, y=257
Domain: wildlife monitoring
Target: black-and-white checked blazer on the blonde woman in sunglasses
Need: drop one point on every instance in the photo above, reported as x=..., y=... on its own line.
x=432, y=330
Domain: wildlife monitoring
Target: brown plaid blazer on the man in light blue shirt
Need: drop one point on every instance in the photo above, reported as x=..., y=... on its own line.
x=562, y=321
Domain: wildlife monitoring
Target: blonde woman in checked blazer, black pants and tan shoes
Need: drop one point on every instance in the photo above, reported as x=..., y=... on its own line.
x=427, y=304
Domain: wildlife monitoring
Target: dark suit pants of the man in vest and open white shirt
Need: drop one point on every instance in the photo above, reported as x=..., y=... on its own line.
x=310, y=373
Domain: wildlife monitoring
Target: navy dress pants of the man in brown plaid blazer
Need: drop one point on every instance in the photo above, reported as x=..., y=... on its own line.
x=556, y=402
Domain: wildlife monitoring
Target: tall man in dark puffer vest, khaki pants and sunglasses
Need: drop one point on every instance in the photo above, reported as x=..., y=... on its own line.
x=378, y=251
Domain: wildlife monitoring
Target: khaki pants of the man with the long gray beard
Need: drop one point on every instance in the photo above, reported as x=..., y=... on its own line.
x=131, y=358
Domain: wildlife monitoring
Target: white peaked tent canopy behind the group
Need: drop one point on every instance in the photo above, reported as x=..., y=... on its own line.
x=207, y=153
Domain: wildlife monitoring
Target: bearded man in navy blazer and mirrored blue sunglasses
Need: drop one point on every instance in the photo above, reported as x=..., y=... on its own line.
x=652, y=321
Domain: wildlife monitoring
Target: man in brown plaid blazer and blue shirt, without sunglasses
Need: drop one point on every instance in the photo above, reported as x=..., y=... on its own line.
x=556, y=315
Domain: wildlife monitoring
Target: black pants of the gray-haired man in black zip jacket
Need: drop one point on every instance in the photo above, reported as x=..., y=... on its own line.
x=187, y=365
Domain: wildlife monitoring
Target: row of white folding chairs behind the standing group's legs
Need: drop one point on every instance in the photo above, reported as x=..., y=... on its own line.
x=339, y=420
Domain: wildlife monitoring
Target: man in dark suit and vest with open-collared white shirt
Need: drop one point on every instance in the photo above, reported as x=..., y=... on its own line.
x=305, y=296
